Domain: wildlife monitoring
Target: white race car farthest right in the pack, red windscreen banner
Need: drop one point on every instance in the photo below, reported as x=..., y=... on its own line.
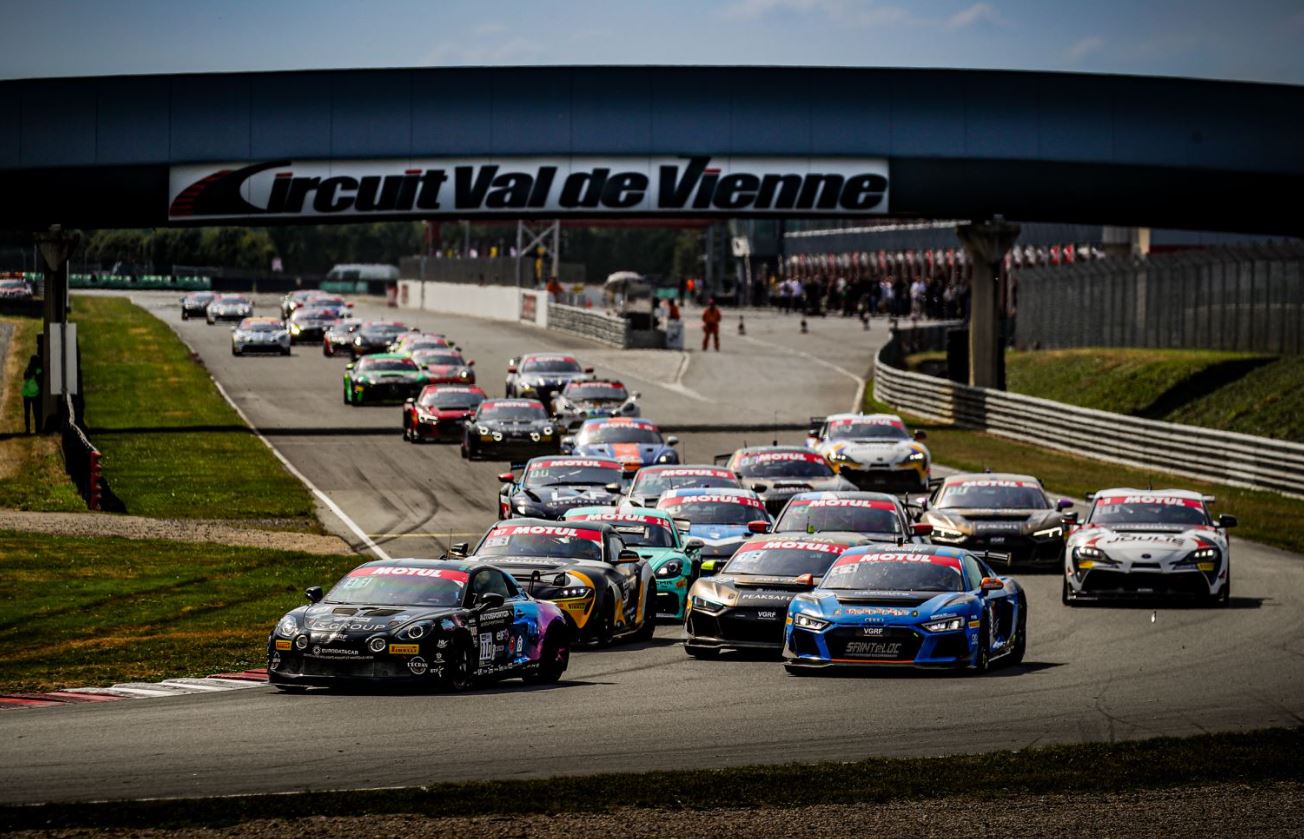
x=1148, y=545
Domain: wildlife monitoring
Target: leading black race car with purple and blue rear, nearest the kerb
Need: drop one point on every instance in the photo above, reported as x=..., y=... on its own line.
x=424, y=622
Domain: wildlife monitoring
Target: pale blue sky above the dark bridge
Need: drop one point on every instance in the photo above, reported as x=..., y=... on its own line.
x=1252, y=40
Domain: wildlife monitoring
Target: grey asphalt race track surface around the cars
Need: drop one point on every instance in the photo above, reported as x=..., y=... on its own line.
x=1092, y=674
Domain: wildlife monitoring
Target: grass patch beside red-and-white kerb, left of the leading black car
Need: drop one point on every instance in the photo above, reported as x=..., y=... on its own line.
x=80, y=611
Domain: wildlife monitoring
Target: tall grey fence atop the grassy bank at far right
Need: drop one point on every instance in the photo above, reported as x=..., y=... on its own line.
x=1245, y=299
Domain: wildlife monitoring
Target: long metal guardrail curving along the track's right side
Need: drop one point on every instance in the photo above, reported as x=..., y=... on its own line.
x=1189, y=451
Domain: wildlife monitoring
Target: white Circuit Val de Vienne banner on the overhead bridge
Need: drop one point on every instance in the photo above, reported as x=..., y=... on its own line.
x=576, y=186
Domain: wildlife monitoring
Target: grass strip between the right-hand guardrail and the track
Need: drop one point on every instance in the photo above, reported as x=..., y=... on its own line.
x=1266, y=517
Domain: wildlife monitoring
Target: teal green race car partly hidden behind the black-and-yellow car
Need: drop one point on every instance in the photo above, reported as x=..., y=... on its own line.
x=657, y=538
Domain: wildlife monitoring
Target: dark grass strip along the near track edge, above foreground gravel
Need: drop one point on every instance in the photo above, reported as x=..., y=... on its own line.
x=1252, y=759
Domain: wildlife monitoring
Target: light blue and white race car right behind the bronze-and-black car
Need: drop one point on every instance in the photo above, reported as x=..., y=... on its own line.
x=722, y=519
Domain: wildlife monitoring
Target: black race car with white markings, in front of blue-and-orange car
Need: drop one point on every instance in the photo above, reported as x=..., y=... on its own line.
x=550, y=486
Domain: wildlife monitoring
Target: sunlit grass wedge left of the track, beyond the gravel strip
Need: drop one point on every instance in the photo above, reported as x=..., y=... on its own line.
x=173, y=447
